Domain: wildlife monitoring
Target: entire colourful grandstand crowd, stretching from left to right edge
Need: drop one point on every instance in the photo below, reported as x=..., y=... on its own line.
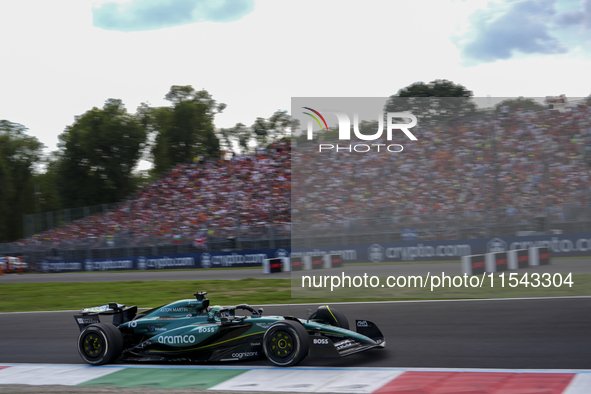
x=505, y=167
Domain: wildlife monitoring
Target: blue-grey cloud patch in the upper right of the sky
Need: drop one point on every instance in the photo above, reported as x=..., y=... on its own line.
x=502, y=30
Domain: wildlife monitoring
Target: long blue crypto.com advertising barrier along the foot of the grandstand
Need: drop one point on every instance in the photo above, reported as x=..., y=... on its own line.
x=563, y=245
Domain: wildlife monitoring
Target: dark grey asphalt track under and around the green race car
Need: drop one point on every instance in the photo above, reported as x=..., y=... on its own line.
x=505, y=334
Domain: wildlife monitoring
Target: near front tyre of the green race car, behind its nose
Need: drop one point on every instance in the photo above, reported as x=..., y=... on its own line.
x=286, y=343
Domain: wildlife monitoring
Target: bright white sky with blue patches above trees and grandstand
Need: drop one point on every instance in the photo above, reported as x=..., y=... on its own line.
x=60, y=58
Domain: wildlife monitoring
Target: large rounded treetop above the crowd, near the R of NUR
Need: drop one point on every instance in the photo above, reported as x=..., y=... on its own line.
x=436, y=101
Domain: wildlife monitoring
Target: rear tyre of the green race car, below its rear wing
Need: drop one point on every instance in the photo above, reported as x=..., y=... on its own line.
x=100, y=343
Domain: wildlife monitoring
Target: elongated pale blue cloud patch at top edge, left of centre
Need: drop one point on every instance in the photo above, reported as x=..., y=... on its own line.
x=141, y=15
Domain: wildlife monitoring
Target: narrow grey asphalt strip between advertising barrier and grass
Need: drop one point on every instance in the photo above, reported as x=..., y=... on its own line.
x=449, y=268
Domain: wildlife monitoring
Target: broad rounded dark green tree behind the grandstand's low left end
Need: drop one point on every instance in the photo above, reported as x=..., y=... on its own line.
x=98, y=154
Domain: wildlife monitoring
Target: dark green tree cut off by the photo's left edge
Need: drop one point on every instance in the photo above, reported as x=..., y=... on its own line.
x=19, y=153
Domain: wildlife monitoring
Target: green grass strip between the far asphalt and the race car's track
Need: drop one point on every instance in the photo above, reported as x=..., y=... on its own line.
x=16, y=297
